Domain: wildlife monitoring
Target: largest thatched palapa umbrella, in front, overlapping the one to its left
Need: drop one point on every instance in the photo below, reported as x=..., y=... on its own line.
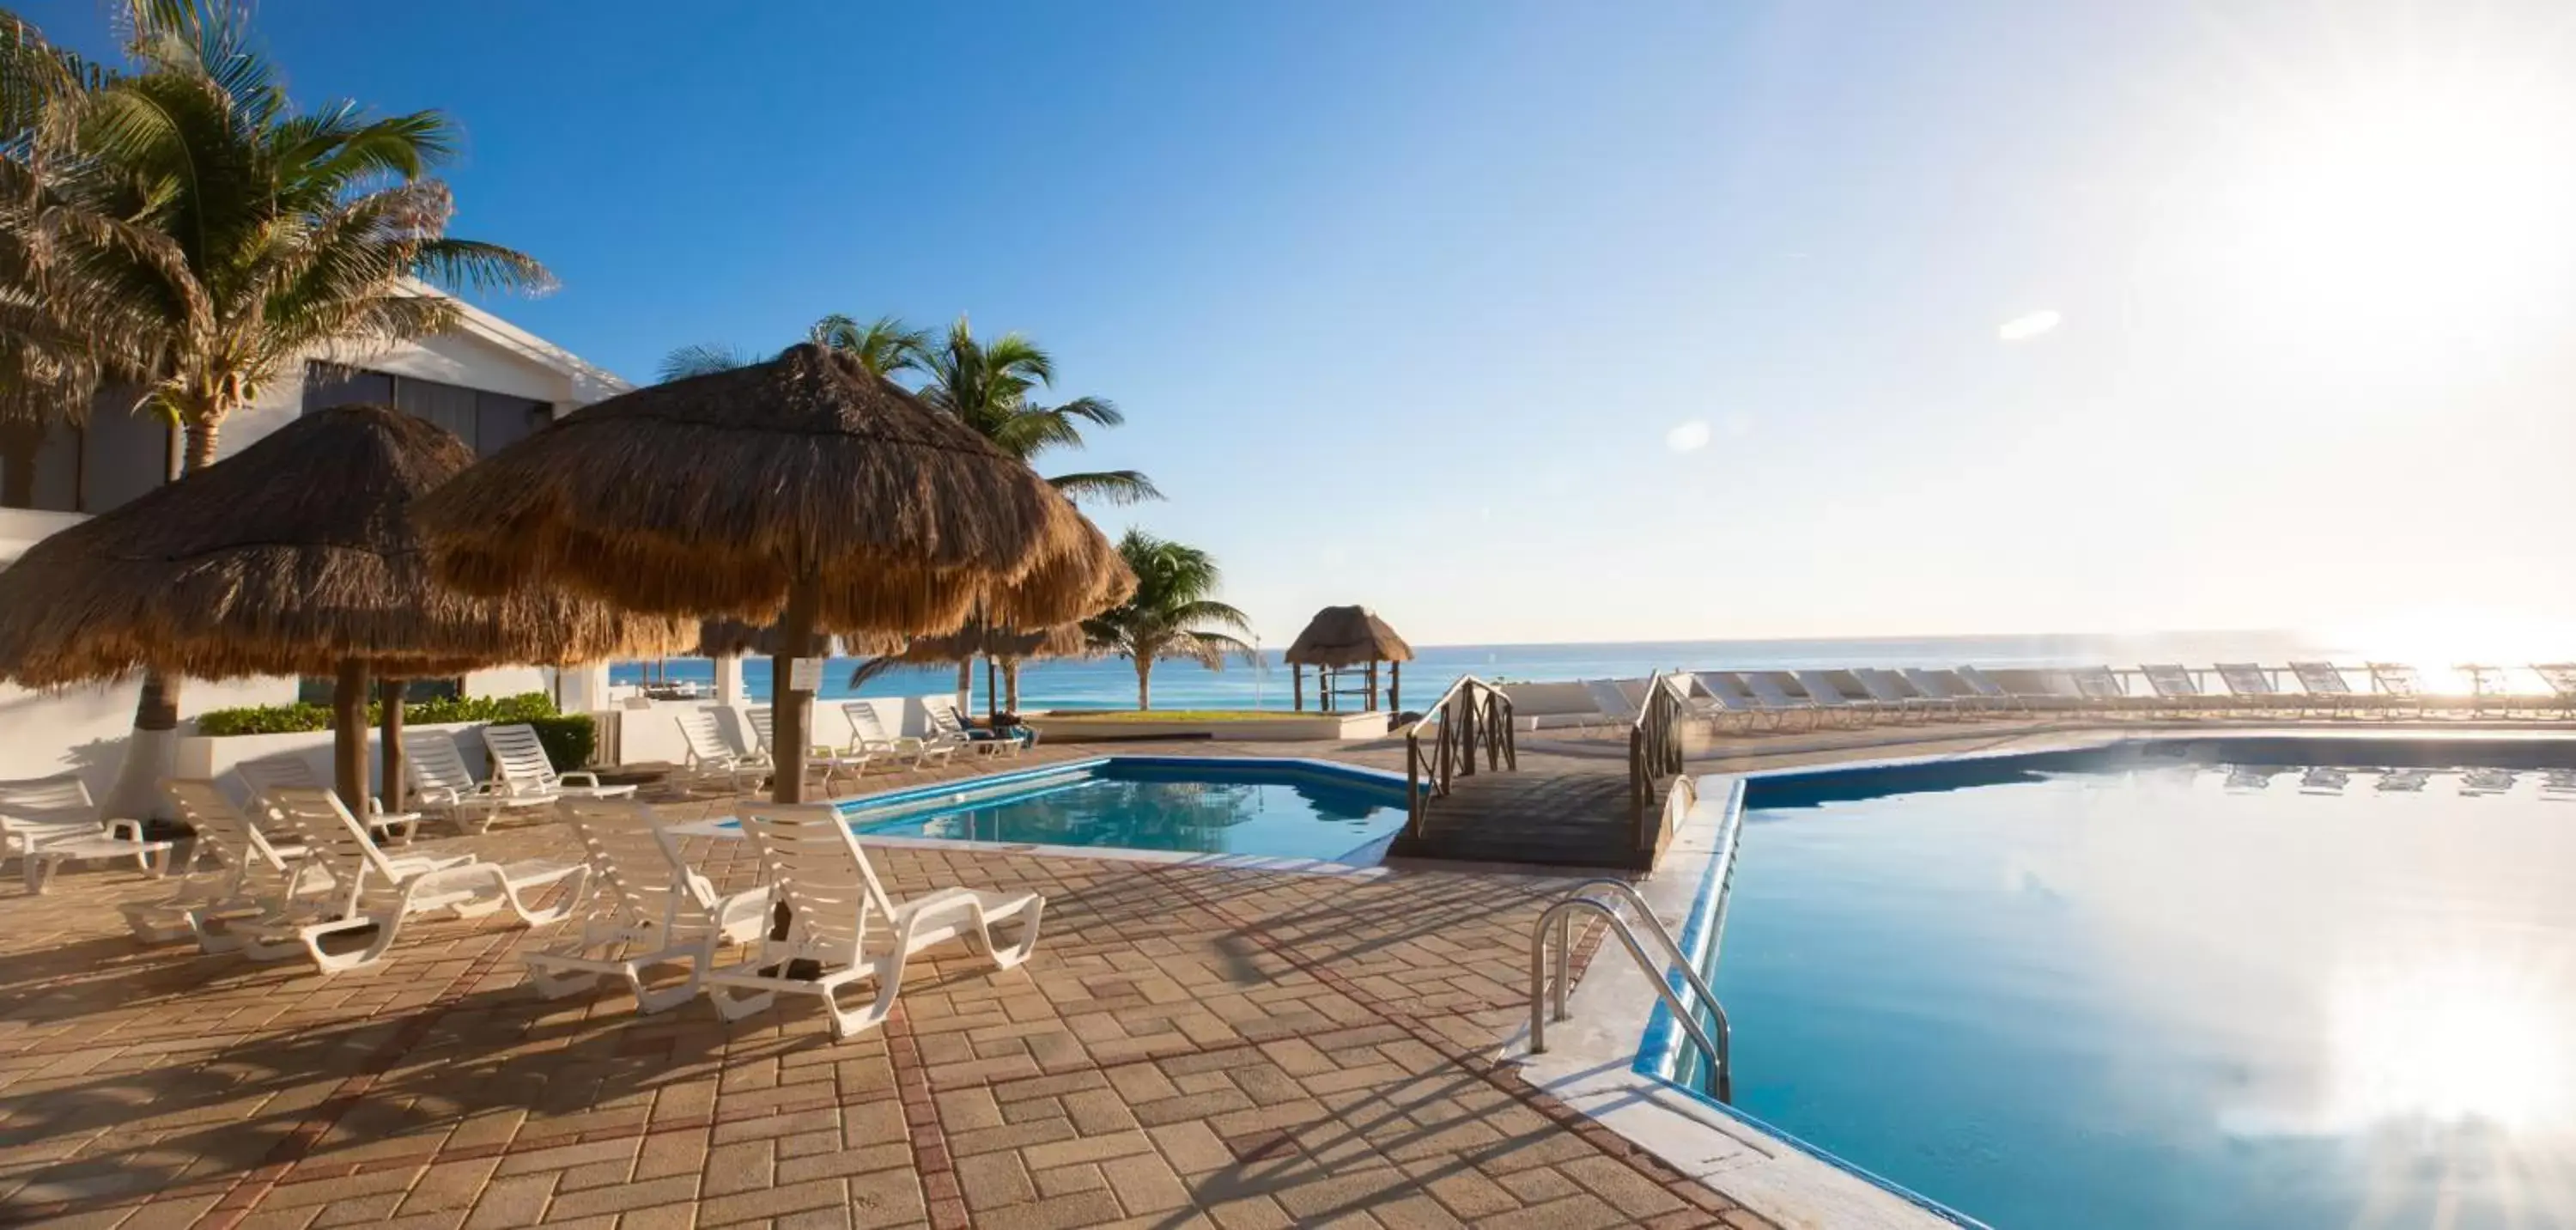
x=802, y=491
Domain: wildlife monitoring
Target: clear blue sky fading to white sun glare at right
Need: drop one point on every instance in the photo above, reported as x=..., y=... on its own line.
x=1624, y=321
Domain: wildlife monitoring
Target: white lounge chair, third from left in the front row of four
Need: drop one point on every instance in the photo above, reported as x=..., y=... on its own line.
x=645, y=909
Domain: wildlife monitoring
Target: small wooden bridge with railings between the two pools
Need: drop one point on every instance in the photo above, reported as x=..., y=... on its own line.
x=1477, y=803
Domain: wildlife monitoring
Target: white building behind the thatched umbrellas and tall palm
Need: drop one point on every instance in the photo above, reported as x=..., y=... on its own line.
x=488, y=380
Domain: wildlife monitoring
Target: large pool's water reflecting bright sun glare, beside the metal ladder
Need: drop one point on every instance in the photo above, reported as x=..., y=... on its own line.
x=2170, y=994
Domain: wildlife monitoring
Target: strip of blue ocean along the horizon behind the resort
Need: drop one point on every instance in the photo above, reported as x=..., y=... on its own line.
x=1112, y=685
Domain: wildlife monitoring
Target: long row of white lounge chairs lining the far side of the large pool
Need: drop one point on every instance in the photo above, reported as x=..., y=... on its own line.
x=1768, y=700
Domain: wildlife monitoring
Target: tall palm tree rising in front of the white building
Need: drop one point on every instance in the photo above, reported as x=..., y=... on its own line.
x=243, y=236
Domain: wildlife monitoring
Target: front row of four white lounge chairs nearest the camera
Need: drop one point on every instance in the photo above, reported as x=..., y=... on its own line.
x=300, y=875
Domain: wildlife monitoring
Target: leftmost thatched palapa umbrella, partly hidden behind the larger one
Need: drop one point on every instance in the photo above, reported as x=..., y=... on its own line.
x=292, y=558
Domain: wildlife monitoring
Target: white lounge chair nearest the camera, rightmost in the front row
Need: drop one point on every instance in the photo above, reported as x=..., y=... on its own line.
x=846, y=927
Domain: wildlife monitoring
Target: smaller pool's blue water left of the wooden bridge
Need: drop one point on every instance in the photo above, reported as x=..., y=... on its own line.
x=1148, y=806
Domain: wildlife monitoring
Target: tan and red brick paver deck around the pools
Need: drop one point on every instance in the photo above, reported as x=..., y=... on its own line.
x=1191, y=1046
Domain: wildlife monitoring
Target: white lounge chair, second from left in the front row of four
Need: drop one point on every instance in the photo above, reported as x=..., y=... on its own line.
x=372, y=891
